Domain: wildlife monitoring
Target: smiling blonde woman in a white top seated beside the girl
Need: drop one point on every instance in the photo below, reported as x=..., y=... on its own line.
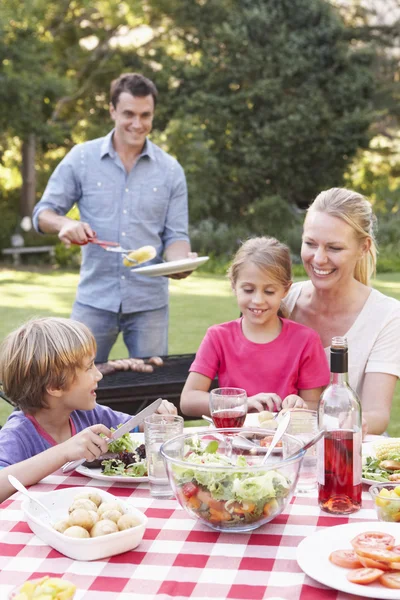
x=339, y=256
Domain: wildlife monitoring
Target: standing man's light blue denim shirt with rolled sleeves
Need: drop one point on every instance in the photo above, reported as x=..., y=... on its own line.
x=147, y=206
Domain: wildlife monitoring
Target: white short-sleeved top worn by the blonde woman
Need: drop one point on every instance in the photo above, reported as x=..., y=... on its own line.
x=373, y=339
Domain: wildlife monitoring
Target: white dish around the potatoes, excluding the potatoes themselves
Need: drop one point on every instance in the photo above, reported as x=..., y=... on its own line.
x=81, y=548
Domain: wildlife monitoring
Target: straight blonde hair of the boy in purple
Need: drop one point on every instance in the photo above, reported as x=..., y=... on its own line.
x=41, y=354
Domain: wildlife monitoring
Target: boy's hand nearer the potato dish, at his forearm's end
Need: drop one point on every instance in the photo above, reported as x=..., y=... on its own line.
x=87, y=444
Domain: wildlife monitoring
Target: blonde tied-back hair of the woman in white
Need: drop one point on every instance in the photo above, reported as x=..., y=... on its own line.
x=355, y=210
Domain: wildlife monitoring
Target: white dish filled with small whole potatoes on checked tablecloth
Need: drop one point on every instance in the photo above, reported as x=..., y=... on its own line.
x=99, y=524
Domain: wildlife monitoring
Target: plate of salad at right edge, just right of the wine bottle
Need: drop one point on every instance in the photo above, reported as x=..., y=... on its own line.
x=381, y=461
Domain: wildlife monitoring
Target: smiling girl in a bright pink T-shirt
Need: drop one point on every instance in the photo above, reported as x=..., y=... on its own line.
x=262, y=352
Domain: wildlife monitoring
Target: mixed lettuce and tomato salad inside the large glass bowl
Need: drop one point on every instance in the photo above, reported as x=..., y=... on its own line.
x=226, y=497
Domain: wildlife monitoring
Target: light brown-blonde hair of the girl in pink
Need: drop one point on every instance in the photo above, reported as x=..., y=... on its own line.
x=269, y=255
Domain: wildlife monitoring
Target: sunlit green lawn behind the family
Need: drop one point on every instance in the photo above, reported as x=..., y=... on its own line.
x=196, y=303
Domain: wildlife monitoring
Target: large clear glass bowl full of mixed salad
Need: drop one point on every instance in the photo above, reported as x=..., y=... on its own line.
x=218, y=477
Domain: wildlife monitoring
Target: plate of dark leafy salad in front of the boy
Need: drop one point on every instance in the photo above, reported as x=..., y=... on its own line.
x=124, y=461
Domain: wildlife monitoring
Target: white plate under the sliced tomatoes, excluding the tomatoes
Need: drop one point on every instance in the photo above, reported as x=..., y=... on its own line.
x=313, y=557
